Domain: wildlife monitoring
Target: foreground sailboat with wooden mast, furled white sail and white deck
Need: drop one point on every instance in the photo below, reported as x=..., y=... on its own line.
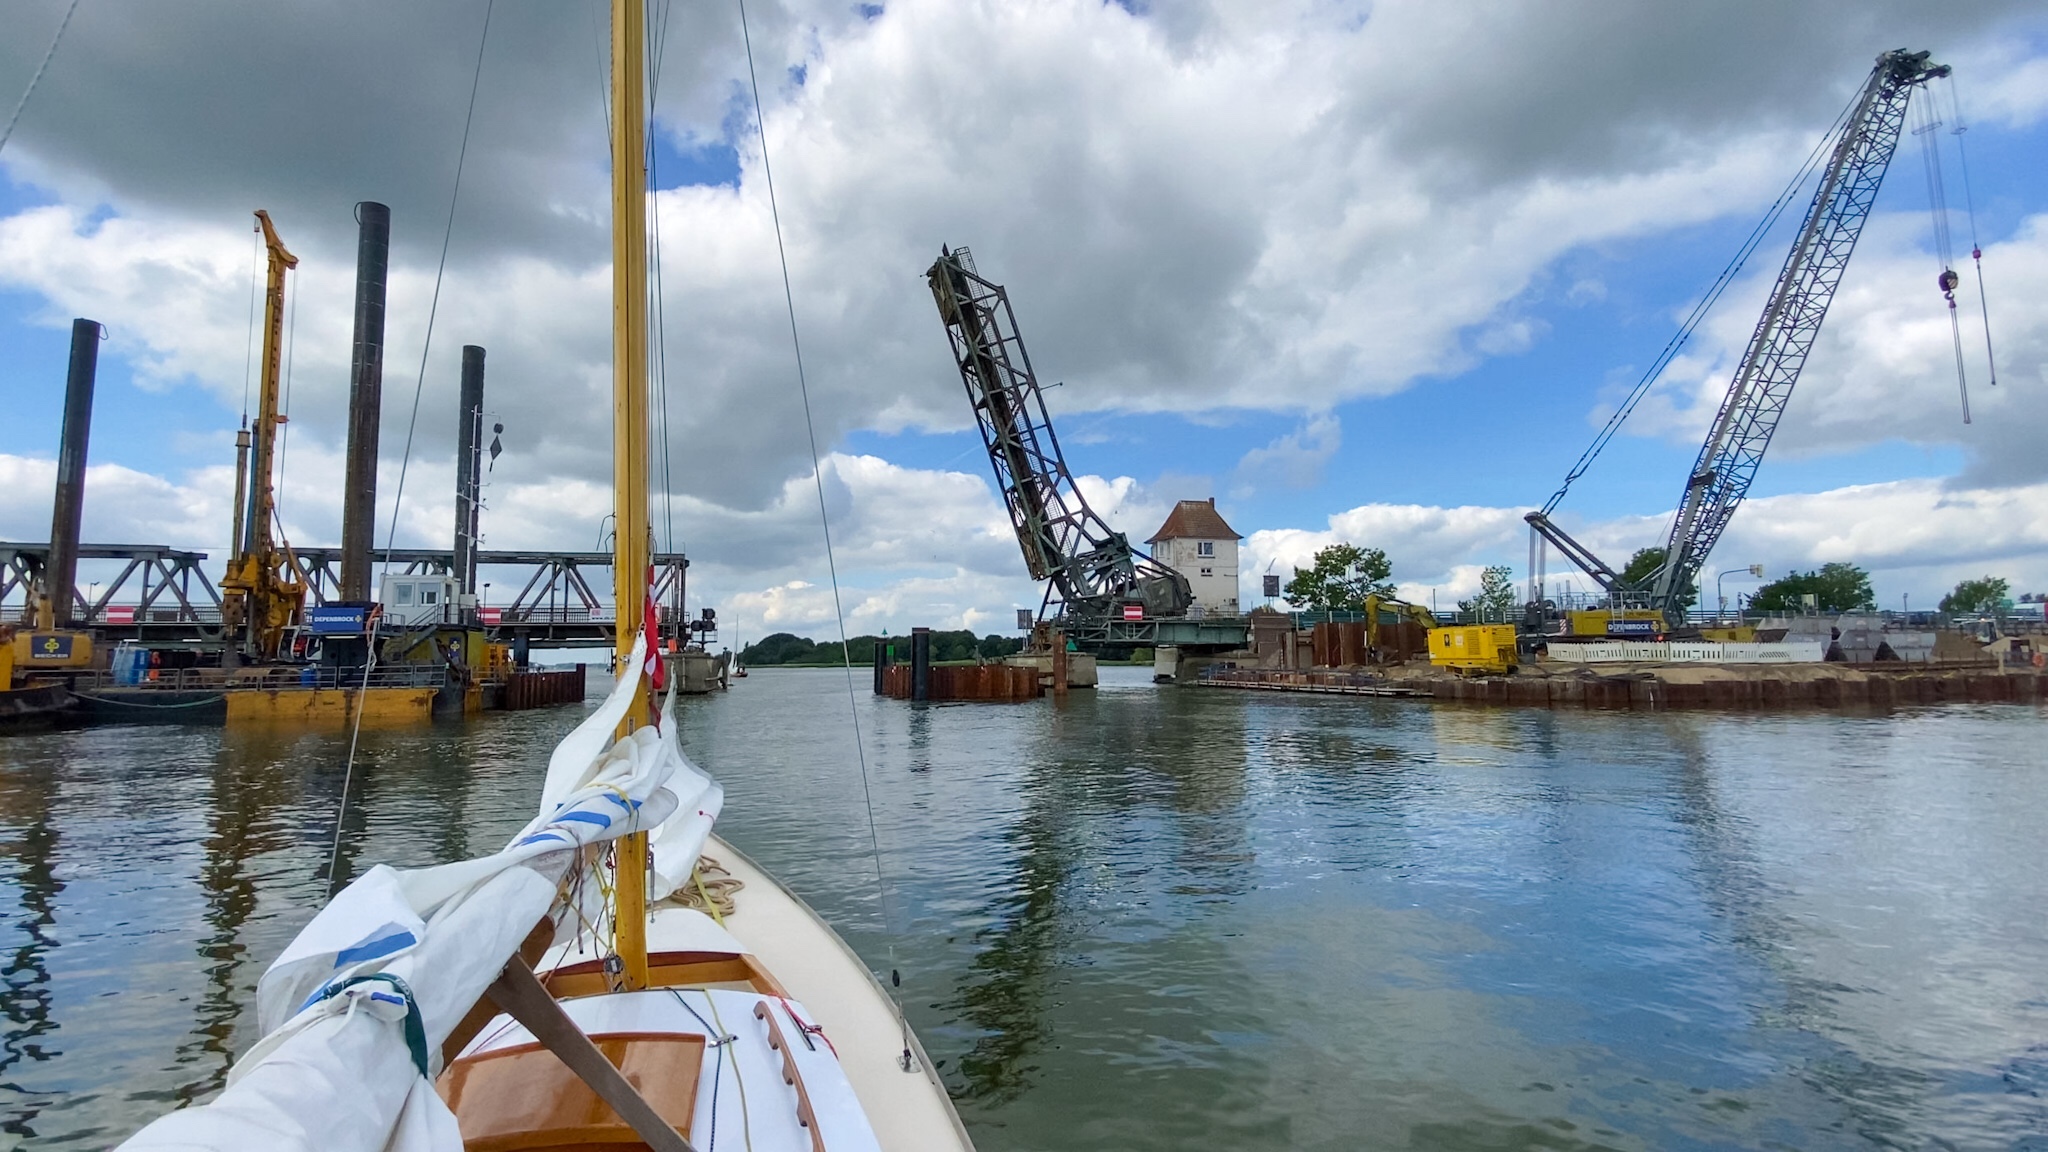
x=615, y=977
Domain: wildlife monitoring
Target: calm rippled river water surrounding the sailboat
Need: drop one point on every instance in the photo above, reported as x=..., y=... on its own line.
x=1172, y=917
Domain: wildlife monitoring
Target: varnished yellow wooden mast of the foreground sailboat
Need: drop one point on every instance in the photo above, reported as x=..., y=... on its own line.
x=630, y=431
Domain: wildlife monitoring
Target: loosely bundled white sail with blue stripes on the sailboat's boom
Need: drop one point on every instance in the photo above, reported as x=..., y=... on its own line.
x=357, y=1007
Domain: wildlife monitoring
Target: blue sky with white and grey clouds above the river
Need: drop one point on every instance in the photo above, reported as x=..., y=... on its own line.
x=1361, y=272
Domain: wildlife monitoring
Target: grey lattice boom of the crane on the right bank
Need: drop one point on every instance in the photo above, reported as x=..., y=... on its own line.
x=1791, y=321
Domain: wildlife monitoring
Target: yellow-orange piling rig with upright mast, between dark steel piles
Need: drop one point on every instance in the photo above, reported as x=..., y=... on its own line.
x=263, y=593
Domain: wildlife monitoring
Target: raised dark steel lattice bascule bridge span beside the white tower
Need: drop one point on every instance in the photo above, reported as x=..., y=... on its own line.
x=1091, y=567
